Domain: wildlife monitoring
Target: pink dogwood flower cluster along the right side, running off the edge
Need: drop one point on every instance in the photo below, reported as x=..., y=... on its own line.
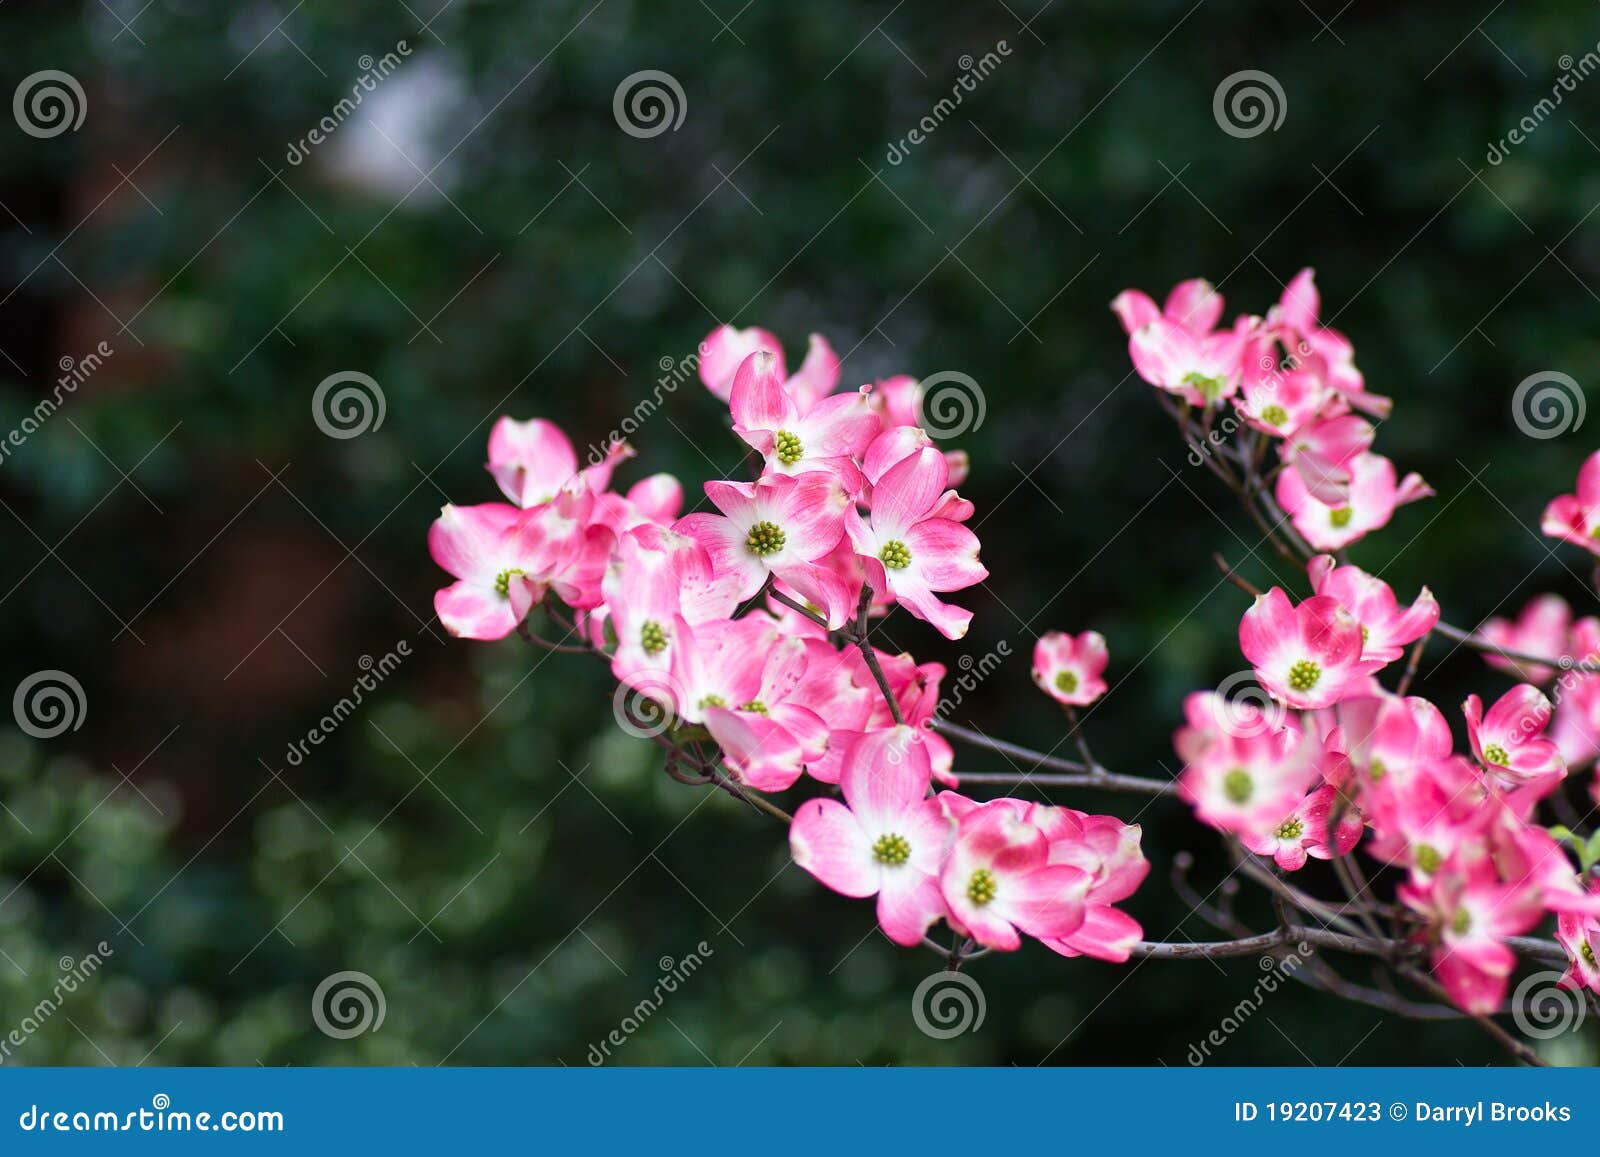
x=1330, y=756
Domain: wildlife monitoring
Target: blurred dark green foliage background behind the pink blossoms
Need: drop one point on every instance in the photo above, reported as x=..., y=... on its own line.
x=482, y=238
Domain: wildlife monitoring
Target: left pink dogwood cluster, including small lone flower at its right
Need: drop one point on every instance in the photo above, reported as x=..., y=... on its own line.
x=746, y=628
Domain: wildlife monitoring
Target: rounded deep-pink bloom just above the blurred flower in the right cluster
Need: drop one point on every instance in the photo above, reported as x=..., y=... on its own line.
x=1305, y=657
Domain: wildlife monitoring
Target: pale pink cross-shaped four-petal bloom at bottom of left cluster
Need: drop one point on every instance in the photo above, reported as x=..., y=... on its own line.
x=887, y=839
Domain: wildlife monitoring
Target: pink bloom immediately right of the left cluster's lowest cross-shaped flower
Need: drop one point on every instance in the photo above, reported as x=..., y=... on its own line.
x=999, y=881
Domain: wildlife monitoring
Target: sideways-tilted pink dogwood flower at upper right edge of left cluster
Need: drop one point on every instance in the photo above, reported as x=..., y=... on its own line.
x=911, y=550
